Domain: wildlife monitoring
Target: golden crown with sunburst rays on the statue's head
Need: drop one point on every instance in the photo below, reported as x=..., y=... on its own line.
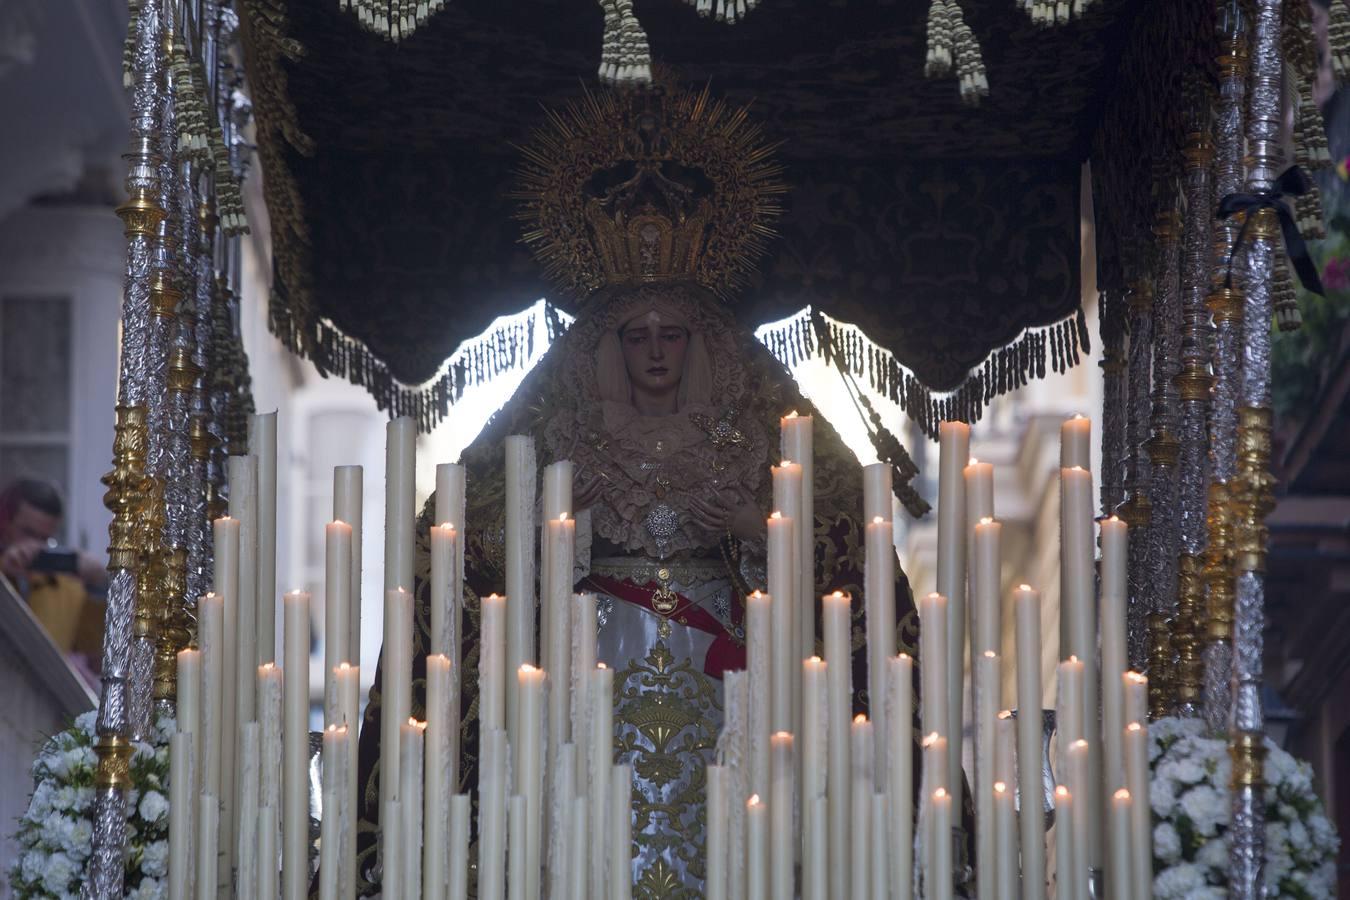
x=628, y=188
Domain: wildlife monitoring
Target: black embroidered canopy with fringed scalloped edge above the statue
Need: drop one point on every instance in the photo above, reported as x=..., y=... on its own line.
x=948, y=234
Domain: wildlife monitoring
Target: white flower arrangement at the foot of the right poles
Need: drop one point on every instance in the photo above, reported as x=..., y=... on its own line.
x=1190, y=798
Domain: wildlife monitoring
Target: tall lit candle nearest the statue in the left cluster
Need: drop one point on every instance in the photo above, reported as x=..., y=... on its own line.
x=561, y=535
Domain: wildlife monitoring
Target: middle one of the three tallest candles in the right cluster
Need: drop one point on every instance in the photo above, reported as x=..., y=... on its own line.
x=952, y=544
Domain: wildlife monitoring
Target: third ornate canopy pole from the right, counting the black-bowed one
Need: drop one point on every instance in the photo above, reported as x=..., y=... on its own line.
x=1193, y=385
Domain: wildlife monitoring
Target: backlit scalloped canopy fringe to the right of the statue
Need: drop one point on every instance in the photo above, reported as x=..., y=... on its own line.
x=1056, y=347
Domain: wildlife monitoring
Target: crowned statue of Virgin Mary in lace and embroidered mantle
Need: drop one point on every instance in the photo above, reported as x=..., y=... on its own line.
x=649, y=210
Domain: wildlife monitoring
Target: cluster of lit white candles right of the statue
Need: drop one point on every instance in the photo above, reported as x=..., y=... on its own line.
x=846, y=810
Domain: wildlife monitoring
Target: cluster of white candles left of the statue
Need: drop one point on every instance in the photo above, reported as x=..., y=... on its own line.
x=546, y=744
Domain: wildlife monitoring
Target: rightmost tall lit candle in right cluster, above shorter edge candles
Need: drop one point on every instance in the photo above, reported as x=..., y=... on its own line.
x=1114, y=663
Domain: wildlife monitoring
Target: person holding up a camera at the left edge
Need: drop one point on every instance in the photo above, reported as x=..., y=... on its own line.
x=59, y=584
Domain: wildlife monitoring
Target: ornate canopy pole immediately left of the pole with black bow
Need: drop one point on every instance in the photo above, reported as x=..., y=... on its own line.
x=1225, y=304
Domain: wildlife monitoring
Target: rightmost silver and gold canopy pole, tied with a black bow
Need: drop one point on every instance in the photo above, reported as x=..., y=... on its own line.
x=1252, y=481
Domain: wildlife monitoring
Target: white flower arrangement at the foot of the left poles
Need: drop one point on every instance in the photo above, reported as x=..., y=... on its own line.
x=56, y=835
